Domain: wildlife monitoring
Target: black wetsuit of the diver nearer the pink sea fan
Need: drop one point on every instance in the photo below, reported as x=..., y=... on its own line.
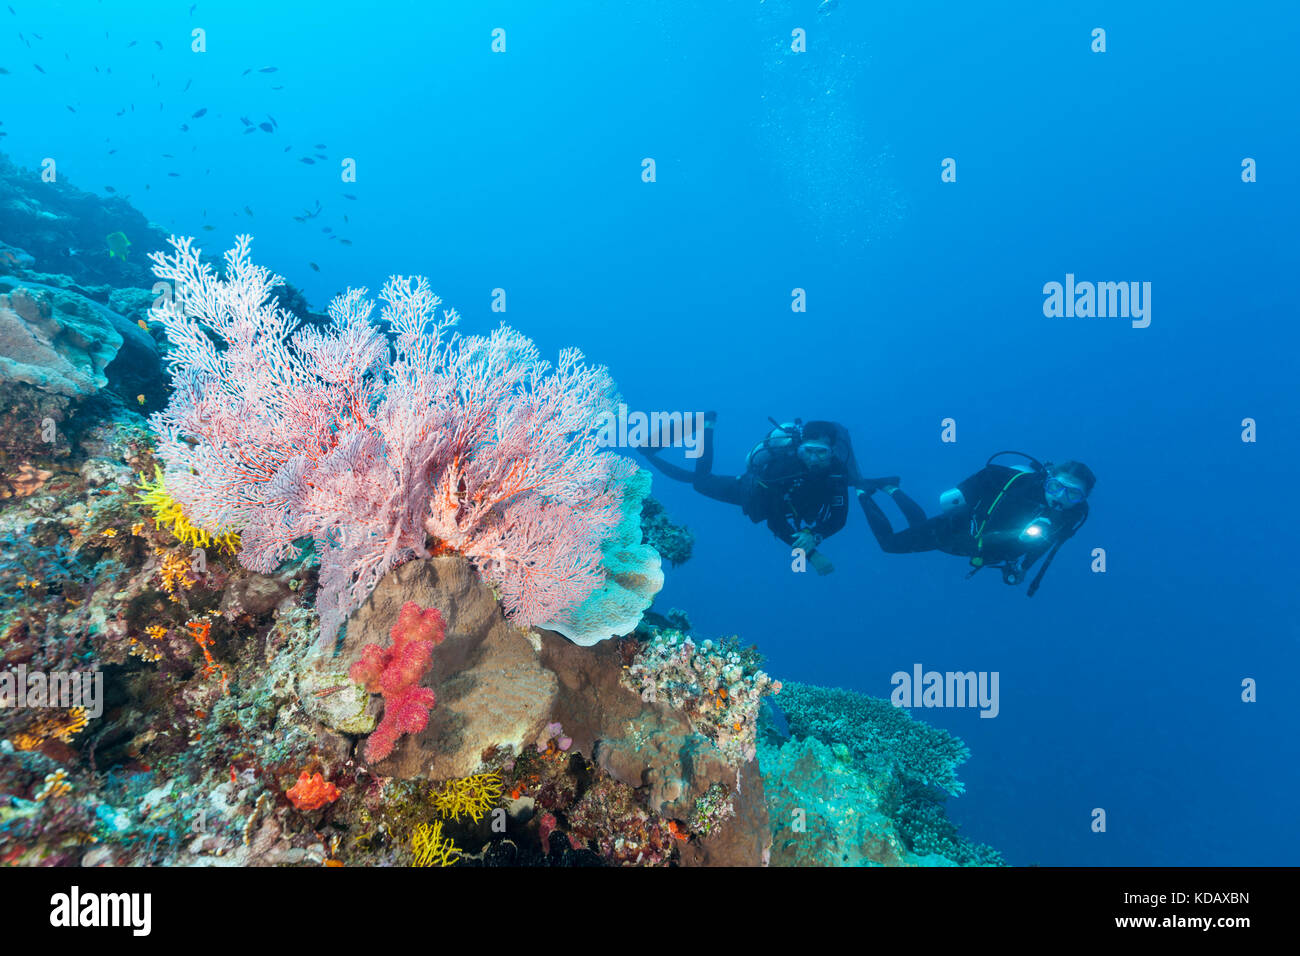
x=796, y=500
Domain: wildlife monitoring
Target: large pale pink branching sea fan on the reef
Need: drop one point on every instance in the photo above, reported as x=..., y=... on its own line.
x=283, y=434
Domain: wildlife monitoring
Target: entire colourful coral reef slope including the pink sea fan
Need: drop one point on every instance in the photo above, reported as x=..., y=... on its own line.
x=437, y=491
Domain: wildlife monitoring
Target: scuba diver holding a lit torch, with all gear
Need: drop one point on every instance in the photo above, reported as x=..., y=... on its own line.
x=1000, y=517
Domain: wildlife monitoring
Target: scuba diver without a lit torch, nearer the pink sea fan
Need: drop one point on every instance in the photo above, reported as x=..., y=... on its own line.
x=796, y=479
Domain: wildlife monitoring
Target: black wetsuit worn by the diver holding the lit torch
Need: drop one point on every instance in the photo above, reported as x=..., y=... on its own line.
x=1000, y=504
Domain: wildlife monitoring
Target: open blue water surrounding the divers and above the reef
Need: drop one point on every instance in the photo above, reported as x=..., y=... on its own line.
x=822, y=171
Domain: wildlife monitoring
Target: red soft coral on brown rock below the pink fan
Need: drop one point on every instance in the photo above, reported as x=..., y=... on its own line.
x=396, y=672
